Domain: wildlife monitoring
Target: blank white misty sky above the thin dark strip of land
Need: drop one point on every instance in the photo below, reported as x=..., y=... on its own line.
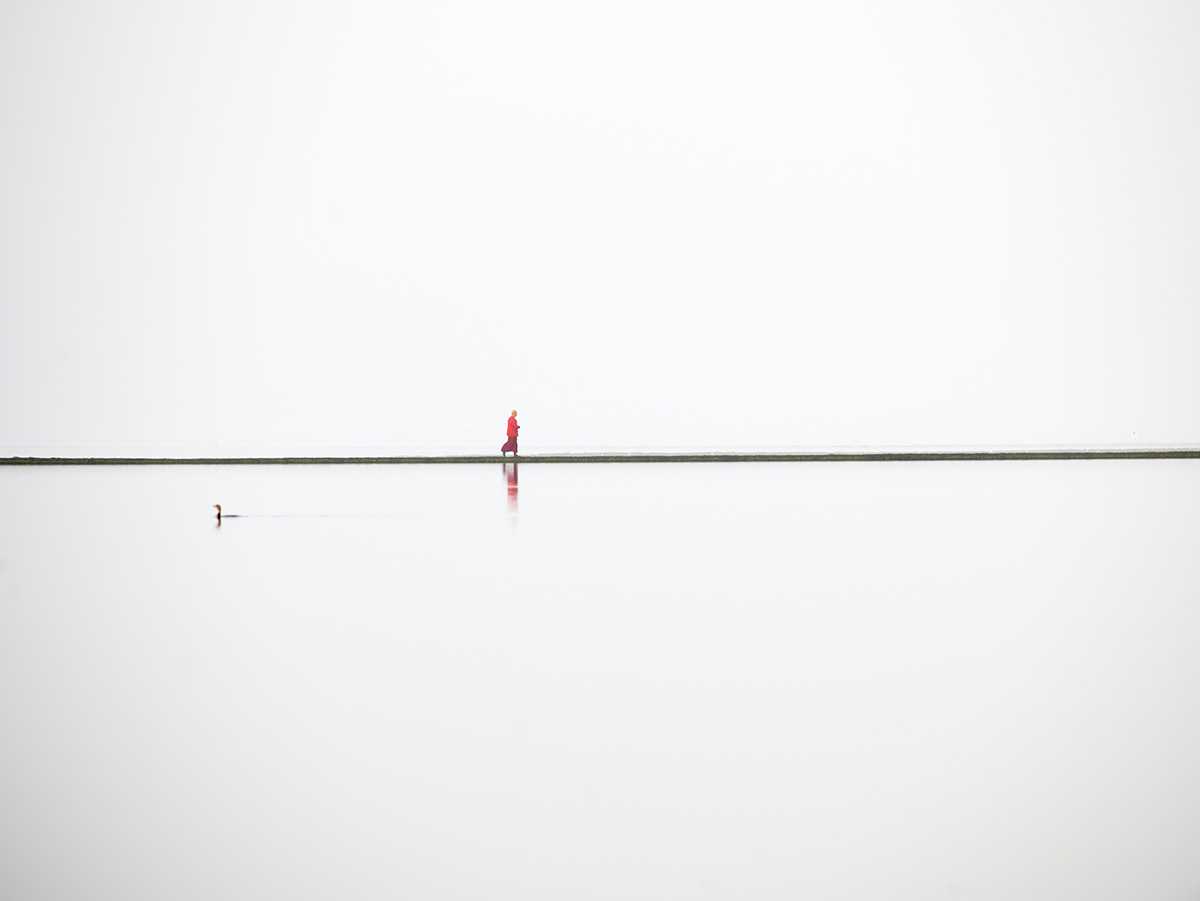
x=303, y=226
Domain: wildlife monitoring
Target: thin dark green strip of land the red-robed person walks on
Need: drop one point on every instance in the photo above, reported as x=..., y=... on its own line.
x=688, y=458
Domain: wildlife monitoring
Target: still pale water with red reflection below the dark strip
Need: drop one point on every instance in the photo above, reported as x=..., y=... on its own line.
x=781, y=681
